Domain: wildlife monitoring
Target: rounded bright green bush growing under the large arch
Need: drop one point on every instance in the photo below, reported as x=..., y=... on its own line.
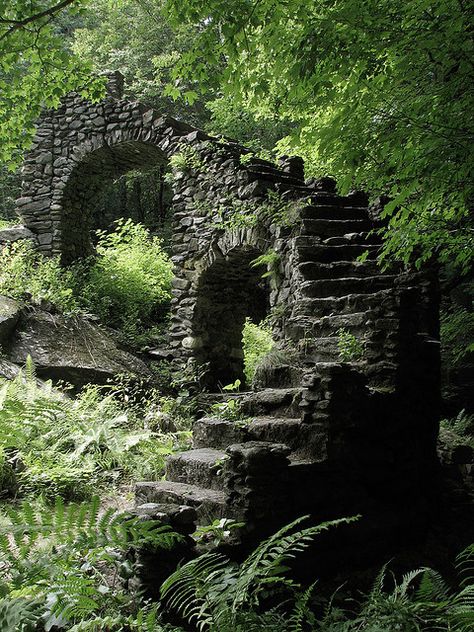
x=128, y=285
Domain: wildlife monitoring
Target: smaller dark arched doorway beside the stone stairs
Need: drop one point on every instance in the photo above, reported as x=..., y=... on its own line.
x=229, y=291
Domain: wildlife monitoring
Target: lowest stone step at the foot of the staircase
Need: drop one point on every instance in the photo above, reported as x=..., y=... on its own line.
x=209, y=503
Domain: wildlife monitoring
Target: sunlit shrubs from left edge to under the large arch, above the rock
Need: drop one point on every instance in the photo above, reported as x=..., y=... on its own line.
x=127, y=285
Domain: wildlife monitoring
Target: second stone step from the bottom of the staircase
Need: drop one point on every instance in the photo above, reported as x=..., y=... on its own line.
x=196, y=467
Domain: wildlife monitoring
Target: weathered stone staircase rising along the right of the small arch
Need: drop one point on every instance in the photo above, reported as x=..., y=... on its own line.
x=278, y=461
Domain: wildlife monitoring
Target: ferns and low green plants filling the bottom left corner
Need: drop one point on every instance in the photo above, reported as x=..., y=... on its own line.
x=69, y=567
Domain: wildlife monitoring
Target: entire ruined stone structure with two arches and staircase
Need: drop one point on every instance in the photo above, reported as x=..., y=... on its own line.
x=322, y=436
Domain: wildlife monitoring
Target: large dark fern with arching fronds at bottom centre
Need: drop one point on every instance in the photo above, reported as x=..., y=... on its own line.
x=218, y=595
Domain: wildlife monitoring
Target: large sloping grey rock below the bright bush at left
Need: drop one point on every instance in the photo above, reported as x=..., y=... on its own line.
x=70, y=349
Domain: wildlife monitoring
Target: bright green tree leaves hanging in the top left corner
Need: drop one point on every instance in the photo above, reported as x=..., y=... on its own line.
x=36, y=69
